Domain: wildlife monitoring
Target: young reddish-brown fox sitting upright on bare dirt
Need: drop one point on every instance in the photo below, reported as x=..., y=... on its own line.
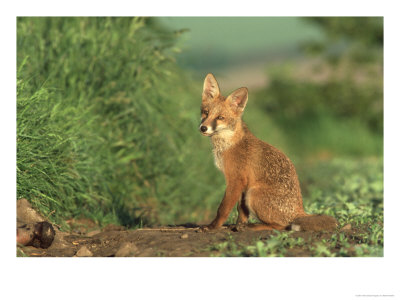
x=259, y=177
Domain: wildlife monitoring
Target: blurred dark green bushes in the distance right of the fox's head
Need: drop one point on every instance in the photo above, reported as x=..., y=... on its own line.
x=294, y=100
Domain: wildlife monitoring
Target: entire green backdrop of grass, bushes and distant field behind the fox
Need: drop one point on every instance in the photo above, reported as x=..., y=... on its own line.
x=108, y=110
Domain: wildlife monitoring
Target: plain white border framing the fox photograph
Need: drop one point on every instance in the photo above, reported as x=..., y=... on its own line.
x=201, y=278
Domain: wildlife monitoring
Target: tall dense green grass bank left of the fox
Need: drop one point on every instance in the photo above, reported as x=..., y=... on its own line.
x=106, y=123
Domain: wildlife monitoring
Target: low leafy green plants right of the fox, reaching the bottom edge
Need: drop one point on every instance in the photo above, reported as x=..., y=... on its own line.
x=352, y=191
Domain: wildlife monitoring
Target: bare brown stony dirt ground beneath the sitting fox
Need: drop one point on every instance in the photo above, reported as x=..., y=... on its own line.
x=86, y=239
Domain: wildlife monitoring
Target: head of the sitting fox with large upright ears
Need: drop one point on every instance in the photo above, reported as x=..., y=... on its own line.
x=219, y=115
